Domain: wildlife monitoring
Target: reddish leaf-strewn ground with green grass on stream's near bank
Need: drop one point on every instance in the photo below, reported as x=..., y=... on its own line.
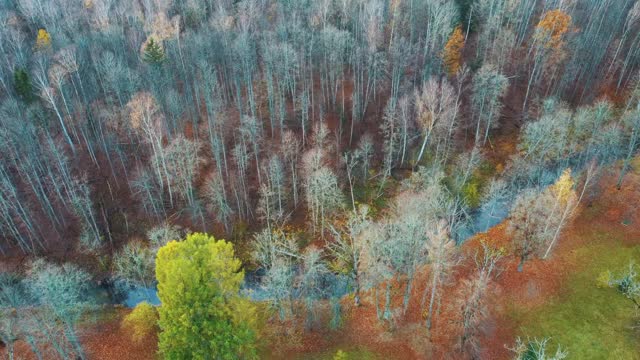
x=558, y=298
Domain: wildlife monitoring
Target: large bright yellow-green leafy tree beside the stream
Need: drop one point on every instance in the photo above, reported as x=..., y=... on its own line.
x=203, y=316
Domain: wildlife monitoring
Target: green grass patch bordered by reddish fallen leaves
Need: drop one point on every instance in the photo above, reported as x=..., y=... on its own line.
x=588, y=321
